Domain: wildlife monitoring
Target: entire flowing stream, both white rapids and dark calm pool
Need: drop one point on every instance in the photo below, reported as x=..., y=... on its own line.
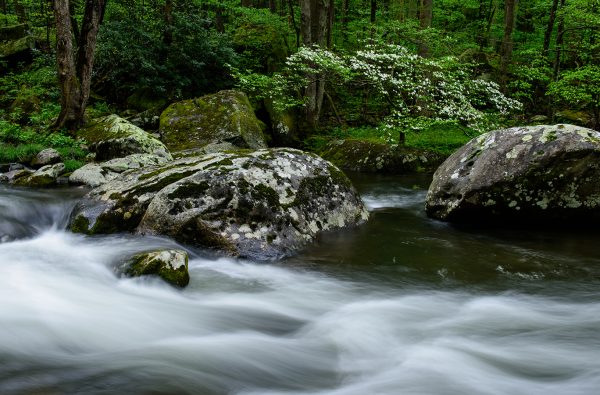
x=402, y=305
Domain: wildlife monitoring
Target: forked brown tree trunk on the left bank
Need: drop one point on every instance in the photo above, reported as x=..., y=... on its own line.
x=75, y=65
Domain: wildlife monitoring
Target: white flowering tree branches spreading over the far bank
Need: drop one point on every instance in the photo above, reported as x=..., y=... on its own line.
x=410, y=91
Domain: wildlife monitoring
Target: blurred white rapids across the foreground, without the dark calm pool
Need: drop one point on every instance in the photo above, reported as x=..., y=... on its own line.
x=70, y=325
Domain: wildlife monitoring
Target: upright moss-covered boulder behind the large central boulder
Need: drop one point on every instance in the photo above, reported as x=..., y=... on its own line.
x=226, y=116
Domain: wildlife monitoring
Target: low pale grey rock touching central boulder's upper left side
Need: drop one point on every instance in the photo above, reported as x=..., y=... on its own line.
x=96, y=174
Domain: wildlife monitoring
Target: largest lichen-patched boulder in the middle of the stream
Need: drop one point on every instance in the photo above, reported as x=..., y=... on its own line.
x=262, y=204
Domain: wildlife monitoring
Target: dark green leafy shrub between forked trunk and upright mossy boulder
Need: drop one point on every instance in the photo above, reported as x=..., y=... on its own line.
x=133, y=56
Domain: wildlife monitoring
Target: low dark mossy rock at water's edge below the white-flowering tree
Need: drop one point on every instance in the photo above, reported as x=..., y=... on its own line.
x=373, y=157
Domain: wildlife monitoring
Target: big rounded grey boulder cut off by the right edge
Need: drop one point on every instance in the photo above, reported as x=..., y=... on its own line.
x=535, y=174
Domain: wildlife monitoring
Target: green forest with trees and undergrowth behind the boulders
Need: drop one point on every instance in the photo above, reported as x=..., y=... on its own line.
x=426, y=73
